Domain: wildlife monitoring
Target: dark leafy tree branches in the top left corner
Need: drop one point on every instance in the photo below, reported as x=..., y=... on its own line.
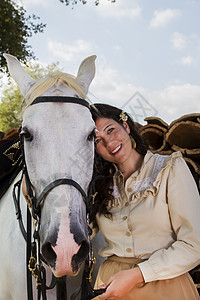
x=15, y=29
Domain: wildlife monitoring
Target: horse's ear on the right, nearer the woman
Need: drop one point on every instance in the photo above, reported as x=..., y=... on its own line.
x=86, y=73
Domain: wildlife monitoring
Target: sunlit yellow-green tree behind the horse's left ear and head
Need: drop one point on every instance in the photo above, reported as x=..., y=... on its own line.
x=12, y=101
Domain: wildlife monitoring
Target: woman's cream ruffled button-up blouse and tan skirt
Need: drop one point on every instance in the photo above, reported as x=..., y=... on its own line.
x=155, y=224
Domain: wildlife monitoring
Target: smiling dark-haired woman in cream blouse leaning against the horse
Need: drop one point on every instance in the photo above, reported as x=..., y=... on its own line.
x=146, y=212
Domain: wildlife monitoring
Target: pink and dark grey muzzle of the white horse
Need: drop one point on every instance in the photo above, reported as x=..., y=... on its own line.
x=65, y=250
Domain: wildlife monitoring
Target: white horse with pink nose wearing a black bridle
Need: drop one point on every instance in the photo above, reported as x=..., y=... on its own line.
x=56, y=145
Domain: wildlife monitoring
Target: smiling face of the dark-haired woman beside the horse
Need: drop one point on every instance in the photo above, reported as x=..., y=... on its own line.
x=112, y=140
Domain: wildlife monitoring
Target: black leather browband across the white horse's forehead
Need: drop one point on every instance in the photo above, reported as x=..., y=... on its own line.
x=61, y=99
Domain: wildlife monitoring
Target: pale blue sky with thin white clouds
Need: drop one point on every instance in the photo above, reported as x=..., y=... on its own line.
x=148, y=51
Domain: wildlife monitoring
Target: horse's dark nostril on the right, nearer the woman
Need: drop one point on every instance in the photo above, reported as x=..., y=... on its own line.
x=80, y=256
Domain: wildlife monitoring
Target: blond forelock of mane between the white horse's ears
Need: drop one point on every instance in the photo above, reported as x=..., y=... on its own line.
x=50, y=80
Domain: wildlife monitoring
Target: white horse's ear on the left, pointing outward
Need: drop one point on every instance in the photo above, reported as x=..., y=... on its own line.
x=22, y=78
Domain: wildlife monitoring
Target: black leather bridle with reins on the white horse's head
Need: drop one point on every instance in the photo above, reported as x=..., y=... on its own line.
x=34, y=266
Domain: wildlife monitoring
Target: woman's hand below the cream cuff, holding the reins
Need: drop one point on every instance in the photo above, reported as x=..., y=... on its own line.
x=121, y=283
